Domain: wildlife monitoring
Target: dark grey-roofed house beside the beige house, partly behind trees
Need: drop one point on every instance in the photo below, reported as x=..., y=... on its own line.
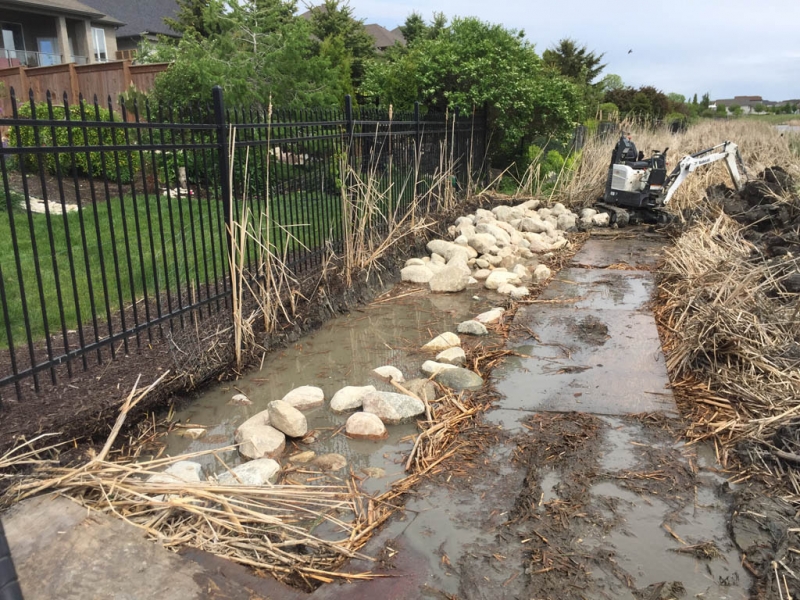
x=144, y=20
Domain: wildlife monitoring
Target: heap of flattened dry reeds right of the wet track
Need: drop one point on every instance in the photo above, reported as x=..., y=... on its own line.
x=732, y=339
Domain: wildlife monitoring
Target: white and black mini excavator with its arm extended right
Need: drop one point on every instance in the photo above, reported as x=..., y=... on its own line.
x=638, y=188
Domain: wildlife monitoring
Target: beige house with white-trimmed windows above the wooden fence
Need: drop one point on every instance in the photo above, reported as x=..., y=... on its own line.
x=38, y=33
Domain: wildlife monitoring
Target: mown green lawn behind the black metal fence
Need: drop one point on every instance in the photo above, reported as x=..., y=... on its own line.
x=115, y=271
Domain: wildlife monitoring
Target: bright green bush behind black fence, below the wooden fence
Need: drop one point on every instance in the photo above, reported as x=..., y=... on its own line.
x=103, y=163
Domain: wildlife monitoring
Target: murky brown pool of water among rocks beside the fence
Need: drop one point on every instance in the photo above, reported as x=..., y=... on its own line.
x=343, y=352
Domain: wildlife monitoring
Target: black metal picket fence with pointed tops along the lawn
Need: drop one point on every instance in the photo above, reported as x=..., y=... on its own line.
x=114, y=221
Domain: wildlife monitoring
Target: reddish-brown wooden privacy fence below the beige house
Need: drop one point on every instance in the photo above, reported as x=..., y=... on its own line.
x=101, y=79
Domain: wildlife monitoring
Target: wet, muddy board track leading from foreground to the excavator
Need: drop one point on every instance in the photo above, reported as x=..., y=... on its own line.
x=601, y=503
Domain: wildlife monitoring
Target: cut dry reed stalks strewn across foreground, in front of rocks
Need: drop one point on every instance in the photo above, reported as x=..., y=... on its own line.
x=299, y=533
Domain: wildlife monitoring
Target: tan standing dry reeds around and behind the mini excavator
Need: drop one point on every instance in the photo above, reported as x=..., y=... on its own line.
x=760, y=145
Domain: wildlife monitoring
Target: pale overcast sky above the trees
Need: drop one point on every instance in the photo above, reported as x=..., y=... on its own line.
x=724, y=47
